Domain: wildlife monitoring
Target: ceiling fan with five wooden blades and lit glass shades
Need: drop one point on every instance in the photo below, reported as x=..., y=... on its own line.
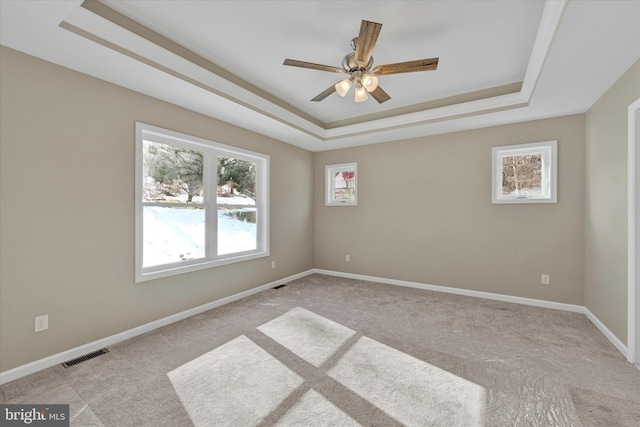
x=358, y=65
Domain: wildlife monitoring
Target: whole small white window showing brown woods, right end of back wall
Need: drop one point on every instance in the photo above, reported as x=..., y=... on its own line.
x=525, y=173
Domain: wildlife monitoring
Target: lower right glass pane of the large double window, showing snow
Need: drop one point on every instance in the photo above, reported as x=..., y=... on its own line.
x=236, y=230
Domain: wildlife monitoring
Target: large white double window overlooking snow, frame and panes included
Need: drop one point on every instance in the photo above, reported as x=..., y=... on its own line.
x=198, y=203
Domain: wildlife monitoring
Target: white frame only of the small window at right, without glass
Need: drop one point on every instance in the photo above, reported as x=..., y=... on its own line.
x=549, y=152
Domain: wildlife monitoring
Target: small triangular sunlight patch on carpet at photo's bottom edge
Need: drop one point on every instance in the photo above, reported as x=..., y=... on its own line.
x=312, y=406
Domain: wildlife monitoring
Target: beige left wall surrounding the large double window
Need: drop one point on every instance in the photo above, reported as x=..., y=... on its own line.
x=67, y=211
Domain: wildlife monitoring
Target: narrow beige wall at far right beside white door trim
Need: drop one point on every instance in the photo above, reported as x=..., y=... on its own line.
x=606, y=203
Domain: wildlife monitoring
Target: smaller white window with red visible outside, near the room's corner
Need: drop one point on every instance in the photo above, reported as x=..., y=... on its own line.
x=341, y=184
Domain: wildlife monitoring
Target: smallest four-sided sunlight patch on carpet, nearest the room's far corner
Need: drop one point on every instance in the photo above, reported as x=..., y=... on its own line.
x=308, y=335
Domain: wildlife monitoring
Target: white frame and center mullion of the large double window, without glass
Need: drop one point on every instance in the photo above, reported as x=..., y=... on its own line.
x=211, y=150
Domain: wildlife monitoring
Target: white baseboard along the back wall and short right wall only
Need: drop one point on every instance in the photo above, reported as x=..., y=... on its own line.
x=506, y=298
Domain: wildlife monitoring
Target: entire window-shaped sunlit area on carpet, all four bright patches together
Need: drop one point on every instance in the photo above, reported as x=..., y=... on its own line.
x=241, y=384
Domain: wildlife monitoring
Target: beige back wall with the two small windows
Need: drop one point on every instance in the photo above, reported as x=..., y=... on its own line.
x=425, y=215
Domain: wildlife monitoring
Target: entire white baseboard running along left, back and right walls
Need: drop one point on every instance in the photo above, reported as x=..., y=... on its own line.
x=38, y=365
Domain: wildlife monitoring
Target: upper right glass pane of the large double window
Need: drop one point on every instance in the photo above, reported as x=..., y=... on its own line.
x=236, y=181
